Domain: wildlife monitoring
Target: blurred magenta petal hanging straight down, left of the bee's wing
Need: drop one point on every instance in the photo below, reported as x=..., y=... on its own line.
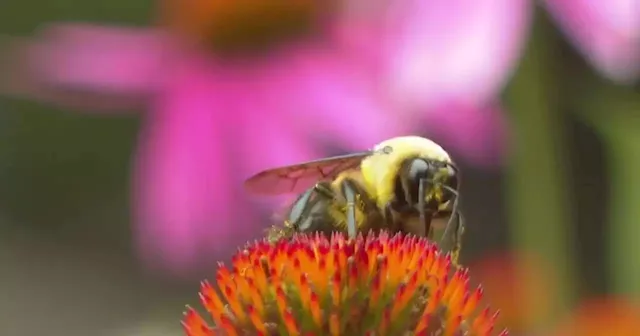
x=181, y=191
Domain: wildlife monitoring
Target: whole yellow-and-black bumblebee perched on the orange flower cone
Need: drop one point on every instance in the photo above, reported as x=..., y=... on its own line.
x=407, y=184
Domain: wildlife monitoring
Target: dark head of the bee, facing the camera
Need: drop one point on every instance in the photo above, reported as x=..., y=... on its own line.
x=439, y=184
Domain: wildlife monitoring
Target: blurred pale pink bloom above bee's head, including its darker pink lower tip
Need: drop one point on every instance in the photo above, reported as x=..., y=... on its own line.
x=445, y=62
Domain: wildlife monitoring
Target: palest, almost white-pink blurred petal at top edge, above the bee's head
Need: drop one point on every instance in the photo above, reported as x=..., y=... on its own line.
x=442, y=50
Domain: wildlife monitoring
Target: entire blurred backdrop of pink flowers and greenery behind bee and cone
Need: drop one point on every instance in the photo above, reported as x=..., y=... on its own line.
x=127, y=128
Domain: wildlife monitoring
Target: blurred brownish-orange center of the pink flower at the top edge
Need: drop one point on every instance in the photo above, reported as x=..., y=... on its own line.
x=232, y=26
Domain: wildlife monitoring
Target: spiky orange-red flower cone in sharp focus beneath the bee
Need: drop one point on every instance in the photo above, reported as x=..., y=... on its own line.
x=314, y=285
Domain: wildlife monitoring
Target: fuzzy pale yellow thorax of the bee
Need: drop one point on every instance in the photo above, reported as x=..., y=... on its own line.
x=380, y=170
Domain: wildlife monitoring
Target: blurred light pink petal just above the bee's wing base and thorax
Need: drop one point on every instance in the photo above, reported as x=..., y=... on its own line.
x=330, y=95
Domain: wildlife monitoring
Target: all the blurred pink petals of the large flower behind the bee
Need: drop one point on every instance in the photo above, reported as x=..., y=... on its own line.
x=213, y=120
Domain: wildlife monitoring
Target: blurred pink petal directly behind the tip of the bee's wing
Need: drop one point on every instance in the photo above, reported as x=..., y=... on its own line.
x=263, y=137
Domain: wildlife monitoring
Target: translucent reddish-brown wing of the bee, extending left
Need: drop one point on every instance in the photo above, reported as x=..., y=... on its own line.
x=299, y=177
